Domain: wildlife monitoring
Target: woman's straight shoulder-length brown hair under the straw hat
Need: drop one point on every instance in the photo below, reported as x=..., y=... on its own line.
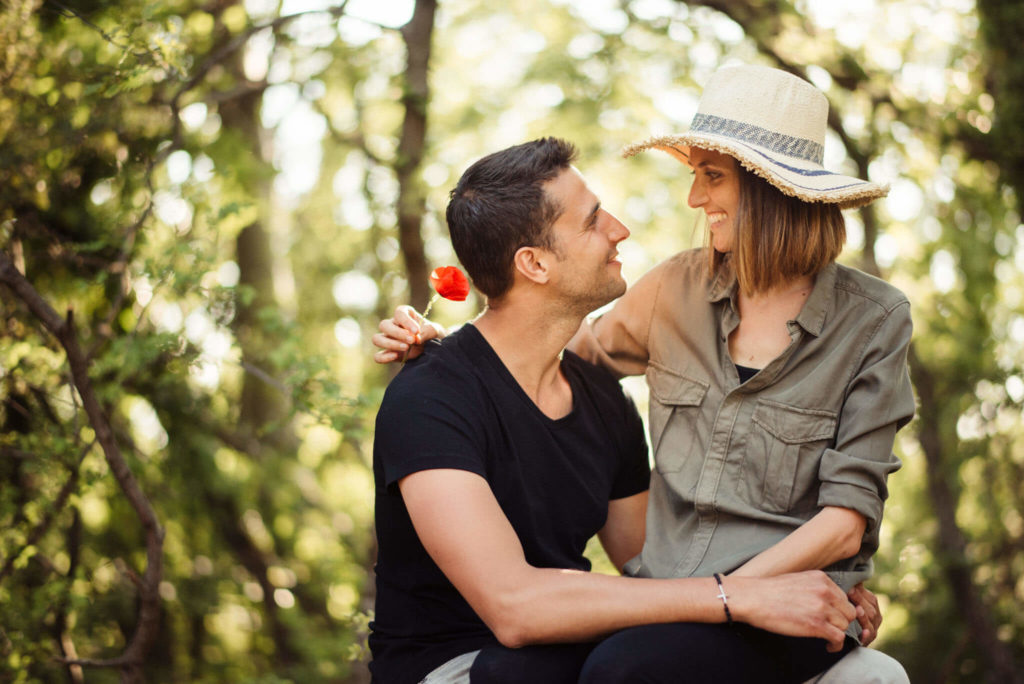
x=780, y=238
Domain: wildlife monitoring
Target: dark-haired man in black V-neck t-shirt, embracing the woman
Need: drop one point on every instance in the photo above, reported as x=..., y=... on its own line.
x=498, y=456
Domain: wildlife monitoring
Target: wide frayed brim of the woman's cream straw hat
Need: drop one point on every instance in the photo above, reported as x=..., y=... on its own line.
x=796, y=178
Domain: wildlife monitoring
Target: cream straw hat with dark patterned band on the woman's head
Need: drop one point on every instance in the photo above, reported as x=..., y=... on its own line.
x=775, y=124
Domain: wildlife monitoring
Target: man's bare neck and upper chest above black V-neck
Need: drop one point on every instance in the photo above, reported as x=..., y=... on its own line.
x=530, y=344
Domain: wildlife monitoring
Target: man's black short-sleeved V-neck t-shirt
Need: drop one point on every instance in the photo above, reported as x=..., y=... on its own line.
x=458, y=407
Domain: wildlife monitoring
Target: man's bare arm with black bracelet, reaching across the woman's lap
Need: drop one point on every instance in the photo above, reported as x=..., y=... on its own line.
x=465, y=532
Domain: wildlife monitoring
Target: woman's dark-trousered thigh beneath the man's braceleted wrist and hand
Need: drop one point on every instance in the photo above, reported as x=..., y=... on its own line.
x=688, y=654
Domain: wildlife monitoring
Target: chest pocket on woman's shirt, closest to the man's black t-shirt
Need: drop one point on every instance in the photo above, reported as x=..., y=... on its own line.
x=675, y=417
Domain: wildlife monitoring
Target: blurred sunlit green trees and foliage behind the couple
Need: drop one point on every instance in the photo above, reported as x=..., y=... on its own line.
x=207, y=205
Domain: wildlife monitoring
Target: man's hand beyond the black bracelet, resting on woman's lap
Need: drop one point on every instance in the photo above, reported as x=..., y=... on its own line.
x=801, y=605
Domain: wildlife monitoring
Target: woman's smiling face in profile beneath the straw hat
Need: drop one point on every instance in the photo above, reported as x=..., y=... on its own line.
x=716, y=190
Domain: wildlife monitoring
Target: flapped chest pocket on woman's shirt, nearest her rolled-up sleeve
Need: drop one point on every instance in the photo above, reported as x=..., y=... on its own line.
x=783, y=454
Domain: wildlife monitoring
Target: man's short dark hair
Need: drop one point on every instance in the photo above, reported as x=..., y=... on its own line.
x=500, y=205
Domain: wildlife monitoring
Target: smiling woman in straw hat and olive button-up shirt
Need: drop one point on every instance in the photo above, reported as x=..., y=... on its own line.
x=778, y=381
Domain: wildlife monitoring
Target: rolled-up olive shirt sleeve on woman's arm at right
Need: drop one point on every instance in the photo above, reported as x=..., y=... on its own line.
x=879, y=402
